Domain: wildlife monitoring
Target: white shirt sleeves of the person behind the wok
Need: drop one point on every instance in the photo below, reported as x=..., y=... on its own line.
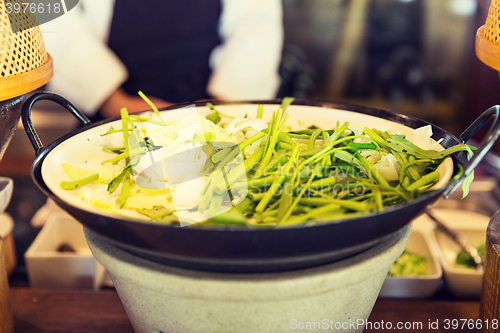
x=244, y=67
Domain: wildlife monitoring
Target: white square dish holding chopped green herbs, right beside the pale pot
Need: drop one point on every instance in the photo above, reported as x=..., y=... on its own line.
x=424, y=286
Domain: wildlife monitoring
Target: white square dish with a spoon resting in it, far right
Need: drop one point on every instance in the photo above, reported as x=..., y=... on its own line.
x=462, y=282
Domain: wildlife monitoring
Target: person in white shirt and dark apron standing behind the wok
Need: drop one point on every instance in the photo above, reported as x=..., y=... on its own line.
x=175, y=51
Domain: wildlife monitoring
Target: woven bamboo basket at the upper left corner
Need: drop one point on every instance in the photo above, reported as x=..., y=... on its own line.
x=24, y=64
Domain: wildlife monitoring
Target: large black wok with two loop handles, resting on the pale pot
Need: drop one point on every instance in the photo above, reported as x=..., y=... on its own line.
x=258, y=250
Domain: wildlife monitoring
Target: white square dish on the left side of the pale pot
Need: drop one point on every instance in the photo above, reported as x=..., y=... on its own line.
x=49, y=268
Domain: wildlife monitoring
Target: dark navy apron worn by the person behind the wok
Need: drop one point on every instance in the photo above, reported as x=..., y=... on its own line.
x=165, y=45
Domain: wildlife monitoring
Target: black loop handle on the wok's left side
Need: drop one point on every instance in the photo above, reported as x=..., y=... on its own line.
x=26, y=115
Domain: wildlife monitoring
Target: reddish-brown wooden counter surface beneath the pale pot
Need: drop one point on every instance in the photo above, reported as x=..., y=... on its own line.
x=50, y=311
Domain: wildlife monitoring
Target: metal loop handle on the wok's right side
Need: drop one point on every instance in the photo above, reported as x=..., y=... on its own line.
x=484, y=146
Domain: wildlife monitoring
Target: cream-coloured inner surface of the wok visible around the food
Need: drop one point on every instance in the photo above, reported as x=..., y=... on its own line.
x=85, y=149
